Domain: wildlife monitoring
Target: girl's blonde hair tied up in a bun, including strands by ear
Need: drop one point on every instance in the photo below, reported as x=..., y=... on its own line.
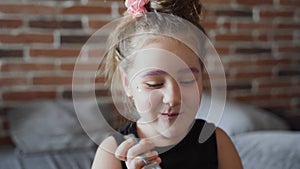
x=133, y=33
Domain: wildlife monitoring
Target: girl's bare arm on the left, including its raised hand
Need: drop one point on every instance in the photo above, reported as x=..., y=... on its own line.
x=109, y=155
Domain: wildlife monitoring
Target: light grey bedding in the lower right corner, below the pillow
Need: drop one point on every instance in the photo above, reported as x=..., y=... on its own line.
x=269, y=149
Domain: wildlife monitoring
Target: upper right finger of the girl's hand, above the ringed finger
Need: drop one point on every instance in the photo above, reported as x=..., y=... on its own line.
x=142, y=147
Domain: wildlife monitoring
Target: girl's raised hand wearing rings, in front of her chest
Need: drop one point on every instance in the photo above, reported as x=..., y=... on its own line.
x=132, y=153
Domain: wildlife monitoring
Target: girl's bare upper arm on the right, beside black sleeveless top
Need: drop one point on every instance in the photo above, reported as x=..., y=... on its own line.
x=227, y=154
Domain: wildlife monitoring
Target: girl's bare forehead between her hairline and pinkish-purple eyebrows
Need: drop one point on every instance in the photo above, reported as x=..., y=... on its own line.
x=166, y=54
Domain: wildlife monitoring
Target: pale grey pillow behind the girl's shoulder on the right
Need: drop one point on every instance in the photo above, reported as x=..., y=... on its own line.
x=239, y=118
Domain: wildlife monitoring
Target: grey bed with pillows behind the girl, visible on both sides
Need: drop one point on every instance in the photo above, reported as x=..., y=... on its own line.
x=47, y=135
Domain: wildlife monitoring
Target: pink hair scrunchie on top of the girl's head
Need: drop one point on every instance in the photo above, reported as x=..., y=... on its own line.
x=136, y=8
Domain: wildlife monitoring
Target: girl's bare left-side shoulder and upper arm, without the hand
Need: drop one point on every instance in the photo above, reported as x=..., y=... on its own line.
x=105, y=155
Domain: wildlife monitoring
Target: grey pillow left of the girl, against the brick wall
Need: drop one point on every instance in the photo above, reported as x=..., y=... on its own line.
x=46, y=126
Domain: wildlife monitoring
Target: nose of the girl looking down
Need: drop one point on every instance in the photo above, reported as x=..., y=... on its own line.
x=172, y=94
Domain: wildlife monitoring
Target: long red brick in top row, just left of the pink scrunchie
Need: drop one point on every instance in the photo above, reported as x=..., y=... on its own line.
x=81, y=9
